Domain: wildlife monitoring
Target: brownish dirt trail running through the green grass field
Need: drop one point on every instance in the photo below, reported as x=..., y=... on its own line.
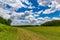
x=27, y=35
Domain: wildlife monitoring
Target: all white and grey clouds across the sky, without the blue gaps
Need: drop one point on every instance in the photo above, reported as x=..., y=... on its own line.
x=28, y=16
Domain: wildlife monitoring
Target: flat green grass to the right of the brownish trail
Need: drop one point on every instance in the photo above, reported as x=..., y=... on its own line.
x=50, y=33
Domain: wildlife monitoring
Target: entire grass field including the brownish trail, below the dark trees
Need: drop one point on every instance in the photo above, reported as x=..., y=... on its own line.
x=29, y=33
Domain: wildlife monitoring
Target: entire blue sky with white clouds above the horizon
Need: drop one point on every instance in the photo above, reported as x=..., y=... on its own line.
x=30, y=12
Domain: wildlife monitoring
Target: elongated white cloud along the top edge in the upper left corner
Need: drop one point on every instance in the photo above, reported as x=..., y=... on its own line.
x=14, y=3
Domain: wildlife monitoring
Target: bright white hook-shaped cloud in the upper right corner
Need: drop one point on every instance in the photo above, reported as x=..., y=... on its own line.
x=54, y=6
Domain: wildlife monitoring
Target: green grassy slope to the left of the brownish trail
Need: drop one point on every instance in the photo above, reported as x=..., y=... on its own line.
x=7, y=32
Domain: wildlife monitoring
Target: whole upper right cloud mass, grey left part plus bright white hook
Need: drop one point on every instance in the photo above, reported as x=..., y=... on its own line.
x=54, y=6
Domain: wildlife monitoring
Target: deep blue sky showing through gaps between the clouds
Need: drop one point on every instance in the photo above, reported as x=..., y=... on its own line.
x=36, y=9
